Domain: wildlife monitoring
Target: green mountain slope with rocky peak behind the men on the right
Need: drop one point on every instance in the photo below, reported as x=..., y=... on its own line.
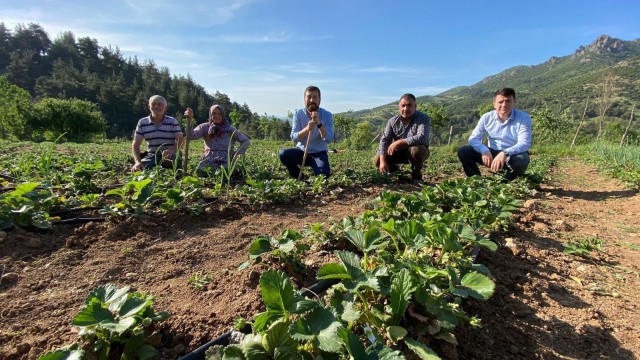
x=559, y=83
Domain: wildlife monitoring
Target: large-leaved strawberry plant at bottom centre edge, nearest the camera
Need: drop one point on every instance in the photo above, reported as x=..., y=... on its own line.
x=293, y=327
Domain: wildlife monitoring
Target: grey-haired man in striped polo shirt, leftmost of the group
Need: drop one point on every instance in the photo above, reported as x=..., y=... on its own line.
x=162, y=133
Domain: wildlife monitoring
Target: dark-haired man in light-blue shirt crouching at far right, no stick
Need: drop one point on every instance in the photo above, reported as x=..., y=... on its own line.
x=509, y=138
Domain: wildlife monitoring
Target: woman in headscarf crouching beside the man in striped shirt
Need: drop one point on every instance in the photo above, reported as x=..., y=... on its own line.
x=219, y=138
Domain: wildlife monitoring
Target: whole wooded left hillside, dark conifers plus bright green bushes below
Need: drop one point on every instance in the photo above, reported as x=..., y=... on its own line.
x=81, y=91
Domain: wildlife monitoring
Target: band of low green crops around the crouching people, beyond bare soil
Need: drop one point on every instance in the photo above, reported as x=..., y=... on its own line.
x=49, y=183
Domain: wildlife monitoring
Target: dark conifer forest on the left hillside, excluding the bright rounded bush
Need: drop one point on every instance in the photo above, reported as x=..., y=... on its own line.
x=69, y=68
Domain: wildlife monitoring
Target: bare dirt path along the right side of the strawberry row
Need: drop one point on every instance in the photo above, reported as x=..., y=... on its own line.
x=550, y=305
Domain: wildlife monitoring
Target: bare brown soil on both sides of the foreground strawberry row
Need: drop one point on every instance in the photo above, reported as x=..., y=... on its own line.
x=547, y=304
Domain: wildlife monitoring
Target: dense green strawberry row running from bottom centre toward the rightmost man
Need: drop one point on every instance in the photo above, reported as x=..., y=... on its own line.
x=408, y=267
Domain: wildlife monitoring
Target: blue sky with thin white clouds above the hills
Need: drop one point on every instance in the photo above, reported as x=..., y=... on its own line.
x=361, y=54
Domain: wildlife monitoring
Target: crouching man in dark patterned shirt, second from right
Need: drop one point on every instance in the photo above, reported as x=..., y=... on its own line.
x=405, y=140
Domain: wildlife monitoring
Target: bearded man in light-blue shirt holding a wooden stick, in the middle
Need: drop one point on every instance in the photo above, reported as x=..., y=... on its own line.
x=317, y=123
